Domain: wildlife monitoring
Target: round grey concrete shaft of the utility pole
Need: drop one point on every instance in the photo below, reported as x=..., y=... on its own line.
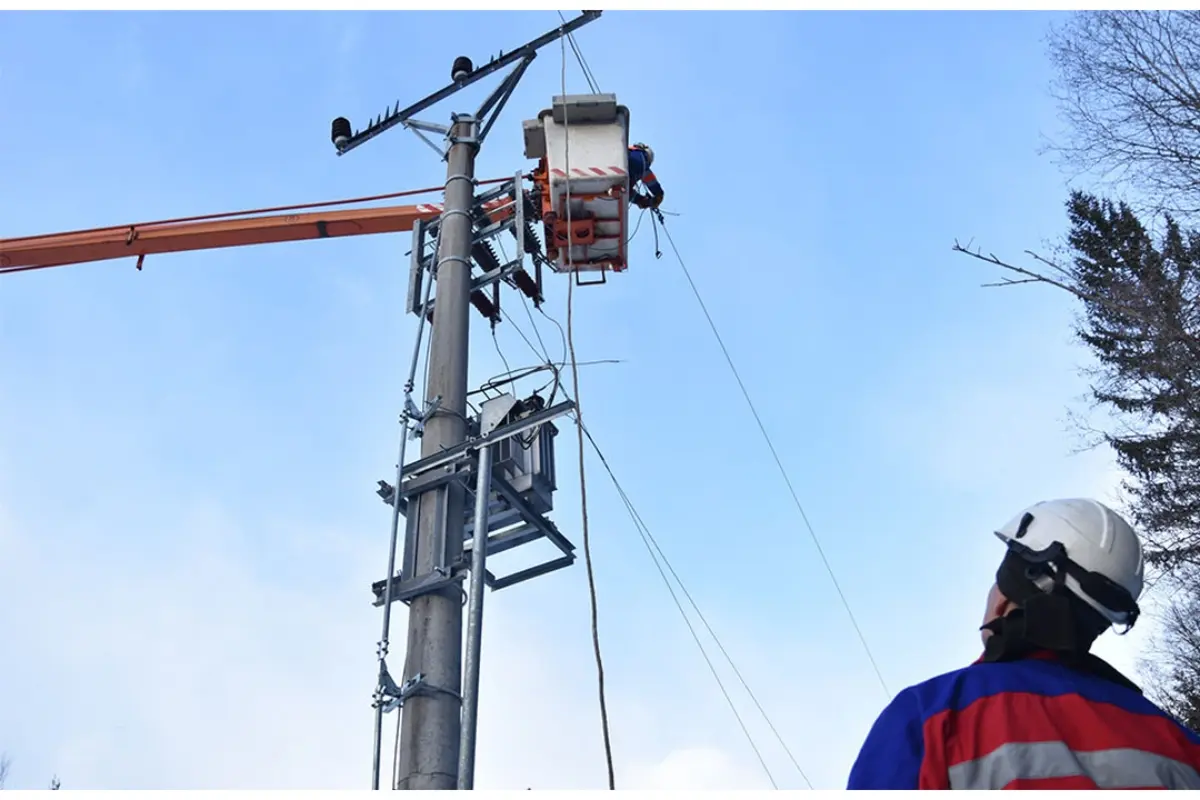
x=428, y=750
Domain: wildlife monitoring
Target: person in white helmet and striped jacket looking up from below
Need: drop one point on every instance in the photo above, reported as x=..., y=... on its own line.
x=1039, y=711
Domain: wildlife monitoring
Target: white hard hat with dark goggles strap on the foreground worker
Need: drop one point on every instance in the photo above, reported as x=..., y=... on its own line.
x=1097, y=552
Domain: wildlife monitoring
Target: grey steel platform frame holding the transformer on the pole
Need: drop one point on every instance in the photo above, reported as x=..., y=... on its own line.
x=514, y=520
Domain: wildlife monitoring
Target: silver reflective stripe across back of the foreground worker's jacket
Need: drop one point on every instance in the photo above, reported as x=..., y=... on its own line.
x=1109, y=769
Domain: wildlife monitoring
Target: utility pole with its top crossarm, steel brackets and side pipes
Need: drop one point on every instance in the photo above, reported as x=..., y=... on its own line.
x=433, y=725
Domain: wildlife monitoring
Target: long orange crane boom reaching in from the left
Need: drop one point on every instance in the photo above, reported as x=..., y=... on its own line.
x=201, y=233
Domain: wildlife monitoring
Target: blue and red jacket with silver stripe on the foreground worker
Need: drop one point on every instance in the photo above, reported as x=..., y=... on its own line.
x=1034, y=724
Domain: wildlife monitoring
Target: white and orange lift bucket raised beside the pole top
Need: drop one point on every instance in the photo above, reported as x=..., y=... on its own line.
x=583, y=143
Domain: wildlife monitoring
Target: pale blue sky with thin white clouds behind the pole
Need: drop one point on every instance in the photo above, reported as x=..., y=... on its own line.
x=188, y=455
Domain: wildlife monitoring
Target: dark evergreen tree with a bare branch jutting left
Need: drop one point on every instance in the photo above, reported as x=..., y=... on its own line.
x=1141, y=302
